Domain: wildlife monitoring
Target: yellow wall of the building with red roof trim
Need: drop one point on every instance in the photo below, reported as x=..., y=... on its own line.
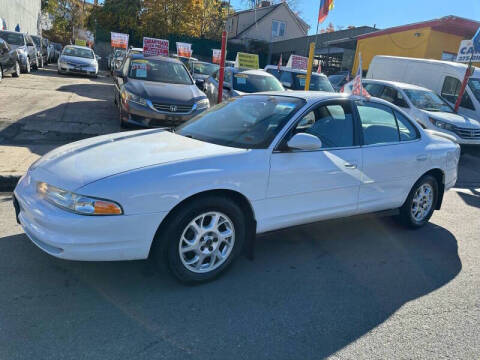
x=403, y=43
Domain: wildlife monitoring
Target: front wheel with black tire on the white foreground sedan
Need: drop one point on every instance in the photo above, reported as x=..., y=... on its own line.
x=201, y=239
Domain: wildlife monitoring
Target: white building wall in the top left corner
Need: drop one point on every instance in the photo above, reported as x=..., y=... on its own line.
x=23, y=12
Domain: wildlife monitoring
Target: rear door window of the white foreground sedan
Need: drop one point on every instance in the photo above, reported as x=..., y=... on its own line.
x=378, y=124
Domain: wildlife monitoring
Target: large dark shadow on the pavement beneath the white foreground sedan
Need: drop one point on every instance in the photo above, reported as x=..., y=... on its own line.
x=305, y=296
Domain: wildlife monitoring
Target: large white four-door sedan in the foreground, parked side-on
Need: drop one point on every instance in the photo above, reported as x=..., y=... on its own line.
x=192, y=199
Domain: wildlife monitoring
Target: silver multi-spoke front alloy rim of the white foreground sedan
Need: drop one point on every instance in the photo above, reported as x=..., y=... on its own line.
x=206, y=242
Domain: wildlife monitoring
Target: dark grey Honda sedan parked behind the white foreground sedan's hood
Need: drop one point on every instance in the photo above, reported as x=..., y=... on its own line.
x=156, y=91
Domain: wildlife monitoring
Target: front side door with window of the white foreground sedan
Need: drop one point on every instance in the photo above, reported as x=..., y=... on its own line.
x=306, y=186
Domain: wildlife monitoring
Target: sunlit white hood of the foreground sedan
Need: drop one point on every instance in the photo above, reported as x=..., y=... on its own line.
x=77, y=164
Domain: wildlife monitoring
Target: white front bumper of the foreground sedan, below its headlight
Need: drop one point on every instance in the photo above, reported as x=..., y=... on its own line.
x=71, y=236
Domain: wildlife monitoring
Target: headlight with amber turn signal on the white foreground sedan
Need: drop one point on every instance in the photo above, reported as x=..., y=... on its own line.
x=79, y=204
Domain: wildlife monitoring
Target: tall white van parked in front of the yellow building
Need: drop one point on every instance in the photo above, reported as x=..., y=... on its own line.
x=443, y=77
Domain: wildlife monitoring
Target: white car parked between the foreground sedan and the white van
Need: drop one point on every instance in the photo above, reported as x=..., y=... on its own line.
x=430, y=110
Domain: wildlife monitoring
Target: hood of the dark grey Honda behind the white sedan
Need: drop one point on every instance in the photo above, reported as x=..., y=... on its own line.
x=164, y=92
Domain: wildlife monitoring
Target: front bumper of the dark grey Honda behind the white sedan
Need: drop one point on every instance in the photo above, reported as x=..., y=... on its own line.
x=146, y=116
